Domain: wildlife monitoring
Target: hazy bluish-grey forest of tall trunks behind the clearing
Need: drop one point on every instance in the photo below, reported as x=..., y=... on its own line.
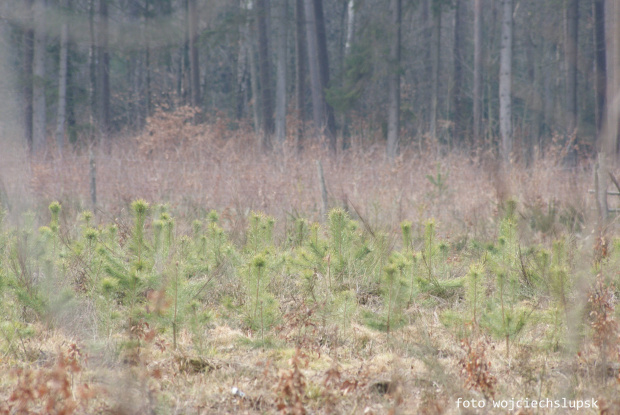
x=456, y=73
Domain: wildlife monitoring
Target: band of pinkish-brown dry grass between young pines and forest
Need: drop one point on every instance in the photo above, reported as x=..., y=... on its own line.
x=210, y=166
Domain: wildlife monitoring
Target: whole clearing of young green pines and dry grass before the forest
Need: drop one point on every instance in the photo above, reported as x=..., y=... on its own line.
x=209, y=279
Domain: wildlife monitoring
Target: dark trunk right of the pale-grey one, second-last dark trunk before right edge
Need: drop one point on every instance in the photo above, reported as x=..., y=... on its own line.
x=571, y=42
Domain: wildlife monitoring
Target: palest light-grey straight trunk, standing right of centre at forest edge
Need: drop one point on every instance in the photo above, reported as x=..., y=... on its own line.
x=505, y=82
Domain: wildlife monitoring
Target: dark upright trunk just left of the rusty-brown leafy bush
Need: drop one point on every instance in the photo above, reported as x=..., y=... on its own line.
x=103, y=72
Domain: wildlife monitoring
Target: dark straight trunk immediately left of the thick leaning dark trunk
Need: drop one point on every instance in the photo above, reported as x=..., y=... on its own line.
x=300, y=62
